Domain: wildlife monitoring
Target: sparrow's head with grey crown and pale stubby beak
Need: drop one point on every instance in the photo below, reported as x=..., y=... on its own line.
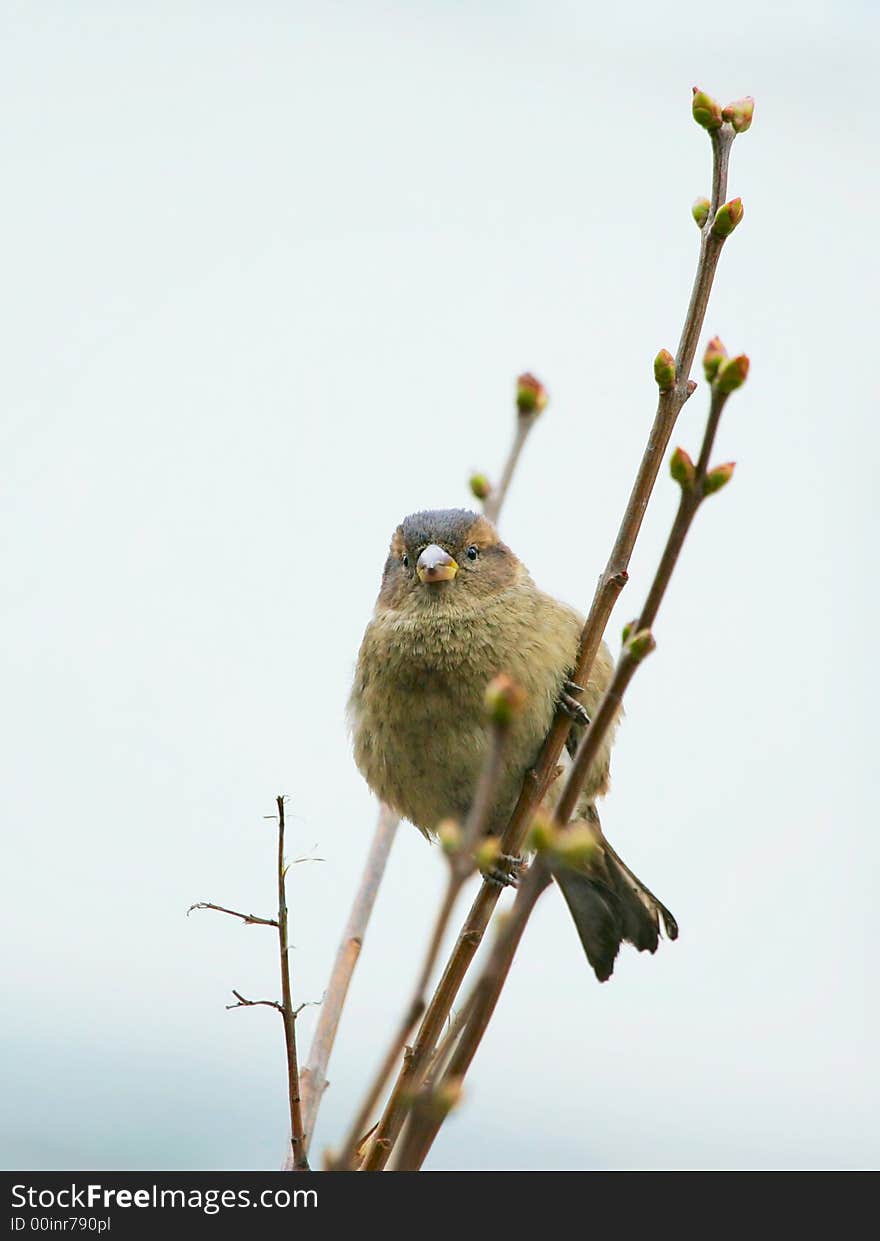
x=446, y=560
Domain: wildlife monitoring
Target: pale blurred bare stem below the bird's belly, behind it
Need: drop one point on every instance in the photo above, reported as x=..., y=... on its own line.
x=313, y=1080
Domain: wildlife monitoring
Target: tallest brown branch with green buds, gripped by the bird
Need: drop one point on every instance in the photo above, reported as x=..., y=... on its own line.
x=610, y=586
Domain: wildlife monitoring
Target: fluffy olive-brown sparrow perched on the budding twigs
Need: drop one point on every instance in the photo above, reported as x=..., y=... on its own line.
x=457, y=607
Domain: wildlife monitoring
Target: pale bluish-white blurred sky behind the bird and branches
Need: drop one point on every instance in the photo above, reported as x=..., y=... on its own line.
x=270, y=274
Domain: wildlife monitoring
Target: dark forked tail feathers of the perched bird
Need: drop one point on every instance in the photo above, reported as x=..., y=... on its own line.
x=610, y=905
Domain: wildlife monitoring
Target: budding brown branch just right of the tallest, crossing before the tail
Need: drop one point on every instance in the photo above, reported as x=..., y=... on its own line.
x=430, y=1115
